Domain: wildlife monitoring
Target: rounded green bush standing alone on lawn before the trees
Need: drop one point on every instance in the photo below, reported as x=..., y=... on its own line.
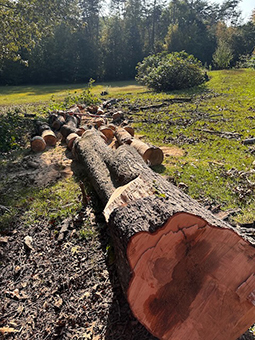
x=174, y=71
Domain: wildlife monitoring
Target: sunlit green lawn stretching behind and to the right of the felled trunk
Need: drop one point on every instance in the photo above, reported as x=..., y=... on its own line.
x=214, y=167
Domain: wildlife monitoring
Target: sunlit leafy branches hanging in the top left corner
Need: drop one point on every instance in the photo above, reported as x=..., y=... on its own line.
x=23, y=22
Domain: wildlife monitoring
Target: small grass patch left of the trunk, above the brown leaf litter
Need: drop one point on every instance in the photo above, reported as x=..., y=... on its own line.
x=53, y=203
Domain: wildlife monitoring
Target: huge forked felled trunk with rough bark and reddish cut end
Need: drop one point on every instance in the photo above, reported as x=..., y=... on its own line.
x=186, y=274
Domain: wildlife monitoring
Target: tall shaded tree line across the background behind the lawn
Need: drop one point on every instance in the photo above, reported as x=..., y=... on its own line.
x=67, y=41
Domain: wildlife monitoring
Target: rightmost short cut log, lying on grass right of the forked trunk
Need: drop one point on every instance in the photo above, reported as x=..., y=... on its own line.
x=151, y=154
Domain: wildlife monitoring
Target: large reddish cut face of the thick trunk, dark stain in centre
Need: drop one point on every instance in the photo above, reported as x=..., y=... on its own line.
x=184, y=273
